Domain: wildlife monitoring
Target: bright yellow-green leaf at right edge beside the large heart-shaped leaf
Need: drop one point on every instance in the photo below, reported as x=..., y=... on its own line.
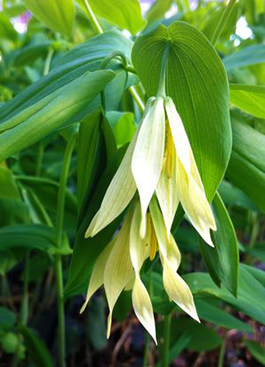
x=249, y=98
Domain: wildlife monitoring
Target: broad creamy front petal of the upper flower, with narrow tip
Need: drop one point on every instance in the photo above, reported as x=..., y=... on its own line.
x=148, y=155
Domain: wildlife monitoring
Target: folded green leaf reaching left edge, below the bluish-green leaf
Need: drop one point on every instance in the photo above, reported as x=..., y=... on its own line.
x=51, y=112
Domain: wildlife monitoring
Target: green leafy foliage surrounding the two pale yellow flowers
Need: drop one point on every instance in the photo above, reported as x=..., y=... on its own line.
x=67, y=116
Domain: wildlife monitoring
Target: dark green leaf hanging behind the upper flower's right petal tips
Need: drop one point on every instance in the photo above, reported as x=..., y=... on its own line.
x=222, y=261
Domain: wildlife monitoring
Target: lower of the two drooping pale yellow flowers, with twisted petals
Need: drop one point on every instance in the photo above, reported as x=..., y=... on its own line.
x=118, y=266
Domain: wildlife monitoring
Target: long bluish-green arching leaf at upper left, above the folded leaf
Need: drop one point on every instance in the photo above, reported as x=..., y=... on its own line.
x=68, y=67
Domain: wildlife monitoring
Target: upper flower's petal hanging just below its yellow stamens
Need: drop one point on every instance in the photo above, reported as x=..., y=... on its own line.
x=167, y=195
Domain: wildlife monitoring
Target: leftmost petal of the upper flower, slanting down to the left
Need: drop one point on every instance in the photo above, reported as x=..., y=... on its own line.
x=118, y=195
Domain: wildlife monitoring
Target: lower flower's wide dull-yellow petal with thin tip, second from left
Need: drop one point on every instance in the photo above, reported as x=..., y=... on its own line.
x=118, y=270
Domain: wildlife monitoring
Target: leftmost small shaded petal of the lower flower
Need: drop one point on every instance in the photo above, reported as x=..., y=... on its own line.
x=96, y=279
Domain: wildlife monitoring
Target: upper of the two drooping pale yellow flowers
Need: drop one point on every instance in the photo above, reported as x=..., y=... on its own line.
x=159, y=160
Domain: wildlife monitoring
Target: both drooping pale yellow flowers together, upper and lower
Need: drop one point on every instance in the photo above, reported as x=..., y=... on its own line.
x=160, y=171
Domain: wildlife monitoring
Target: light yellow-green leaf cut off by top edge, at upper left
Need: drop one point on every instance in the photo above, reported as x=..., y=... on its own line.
x=58, y=15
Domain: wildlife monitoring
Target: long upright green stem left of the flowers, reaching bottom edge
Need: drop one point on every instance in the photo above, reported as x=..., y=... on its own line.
x=58, y=257
